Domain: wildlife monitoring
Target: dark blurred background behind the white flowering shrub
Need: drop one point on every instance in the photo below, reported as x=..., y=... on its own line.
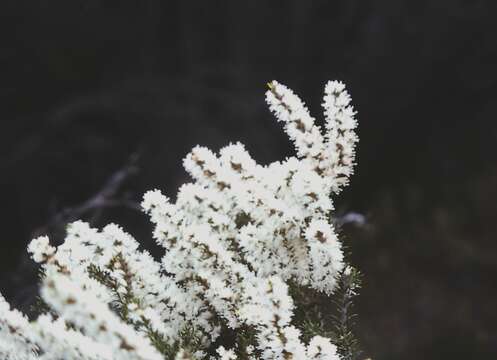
x=85, y=84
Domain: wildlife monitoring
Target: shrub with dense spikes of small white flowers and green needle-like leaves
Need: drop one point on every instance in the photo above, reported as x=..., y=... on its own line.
x=249, y=250
